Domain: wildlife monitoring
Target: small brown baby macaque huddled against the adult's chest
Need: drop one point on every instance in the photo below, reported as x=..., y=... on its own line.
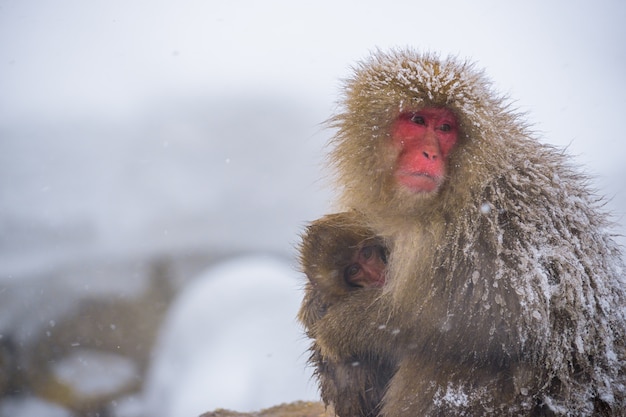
x=340, y=256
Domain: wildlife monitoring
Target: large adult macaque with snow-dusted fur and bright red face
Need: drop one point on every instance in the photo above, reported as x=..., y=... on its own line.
x=504, y=290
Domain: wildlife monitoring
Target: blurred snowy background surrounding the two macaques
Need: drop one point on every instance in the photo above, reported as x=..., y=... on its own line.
x=158, y=160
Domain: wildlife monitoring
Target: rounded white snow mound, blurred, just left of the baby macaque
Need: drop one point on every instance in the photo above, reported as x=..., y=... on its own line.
x=231, y=341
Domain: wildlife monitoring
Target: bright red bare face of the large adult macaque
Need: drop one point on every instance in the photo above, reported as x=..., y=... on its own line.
x=424, y=140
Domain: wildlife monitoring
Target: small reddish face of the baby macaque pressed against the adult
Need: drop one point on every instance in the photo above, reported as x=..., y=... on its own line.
x=367, y=267
